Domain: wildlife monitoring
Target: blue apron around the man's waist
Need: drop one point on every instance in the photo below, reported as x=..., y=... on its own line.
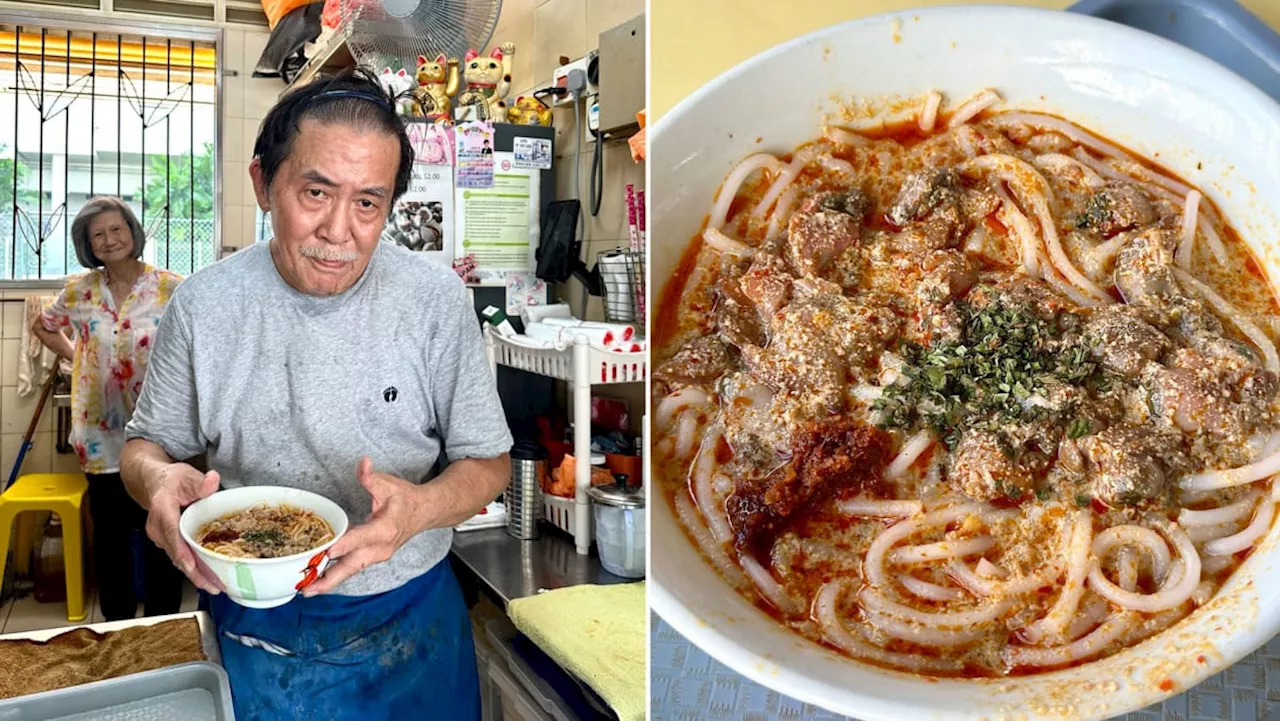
x=403, y=655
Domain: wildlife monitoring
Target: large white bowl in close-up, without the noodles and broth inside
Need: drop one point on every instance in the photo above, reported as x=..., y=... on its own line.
x=1145, y=93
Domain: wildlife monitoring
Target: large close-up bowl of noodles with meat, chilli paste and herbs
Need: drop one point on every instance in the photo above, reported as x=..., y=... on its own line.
x=966, y=368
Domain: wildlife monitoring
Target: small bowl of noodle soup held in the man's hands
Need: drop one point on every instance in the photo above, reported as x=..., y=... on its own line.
x=266, y=544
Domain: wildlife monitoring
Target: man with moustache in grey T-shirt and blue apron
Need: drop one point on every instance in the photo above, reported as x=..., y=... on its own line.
x=301, y=363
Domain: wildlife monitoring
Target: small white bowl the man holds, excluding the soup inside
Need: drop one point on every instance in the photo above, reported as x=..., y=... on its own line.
x=263, y=583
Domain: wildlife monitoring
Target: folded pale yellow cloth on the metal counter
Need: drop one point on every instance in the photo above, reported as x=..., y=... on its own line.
x=598, y=635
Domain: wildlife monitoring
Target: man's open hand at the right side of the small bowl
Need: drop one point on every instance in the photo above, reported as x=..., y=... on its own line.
x=397, y=517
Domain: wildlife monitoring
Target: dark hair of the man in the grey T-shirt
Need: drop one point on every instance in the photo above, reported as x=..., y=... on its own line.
x=353, y=98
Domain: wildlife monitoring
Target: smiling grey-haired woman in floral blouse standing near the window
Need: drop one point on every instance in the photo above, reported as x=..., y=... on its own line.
x=115, y=311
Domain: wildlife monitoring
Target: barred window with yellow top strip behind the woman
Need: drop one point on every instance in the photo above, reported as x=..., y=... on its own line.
x=90, y=112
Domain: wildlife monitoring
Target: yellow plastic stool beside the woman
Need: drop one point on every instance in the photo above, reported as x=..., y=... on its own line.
x=62, y=494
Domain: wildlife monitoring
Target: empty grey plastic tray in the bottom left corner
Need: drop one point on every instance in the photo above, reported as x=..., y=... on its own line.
x=188, y=692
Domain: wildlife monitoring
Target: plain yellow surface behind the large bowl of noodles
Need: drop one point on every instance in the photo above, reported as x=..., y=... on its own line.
x=693, y=43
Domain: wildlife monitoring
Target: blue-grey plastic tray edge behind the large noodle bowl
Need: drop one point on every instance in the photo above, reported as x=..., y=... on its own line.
x=1220, y=30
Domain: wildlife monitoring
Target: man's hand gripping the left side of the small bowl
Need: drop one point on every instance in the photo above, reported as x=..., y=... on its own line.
x=175, y=489
